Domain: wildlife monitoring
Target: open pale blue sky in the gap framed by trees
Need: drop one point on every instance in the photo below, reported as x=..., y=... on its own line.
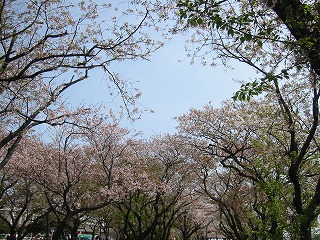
x=169, y=87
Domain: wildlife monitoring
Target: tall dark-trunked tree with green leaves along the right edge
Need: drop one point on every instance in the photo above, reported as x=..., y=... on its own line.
x=279, y=39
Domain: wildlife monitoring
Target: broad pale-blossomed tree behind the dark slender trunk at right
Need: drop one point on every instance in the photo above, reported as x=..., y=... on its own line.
x=252, y=140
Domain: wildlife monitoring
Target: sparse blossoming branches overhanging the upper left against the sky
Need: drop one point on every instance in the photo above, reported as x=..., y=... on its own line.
x=49, y=46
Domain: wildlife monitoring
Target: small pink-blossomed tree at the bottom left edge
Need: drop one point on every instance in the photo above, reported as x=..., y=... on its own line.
x=23, y=207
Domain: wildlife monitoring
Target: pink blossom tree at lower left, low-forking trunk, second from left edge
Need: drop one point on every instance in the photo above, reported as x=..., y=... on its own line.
x=65, y=177
